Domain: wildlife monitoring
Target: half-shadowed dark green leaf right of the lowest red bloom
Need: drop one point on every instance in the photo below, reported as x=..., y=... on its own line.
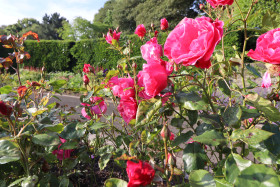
x=194, y=157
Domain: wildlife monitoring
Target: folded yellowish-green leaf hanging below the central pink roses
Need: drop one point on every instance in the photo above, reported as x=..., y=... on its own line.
x=146, y=110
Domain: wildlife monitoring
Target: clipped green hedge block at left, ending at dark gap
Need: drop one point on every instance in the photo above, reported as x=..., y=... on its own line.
x=54, y=55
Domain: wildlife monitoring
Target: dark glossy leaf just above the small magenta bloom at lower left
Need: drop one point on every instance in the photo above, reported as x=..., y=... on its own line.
x=72, y=131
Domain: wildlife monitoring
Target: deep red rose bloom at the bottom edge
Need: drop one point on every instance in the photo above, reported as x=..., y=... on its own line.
x=139, y=174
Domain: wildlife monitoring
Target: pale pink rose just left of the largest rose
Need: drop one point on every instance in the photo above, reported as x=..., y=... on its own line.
x=152, y=51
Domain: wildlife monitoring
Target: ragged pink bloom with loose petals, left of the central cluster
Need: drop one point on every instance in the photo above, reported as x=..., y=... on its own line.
x=95, y=109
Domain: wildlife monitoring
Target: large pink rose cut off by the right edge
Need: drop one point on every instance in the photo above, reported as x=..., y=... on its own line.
x=268, y=48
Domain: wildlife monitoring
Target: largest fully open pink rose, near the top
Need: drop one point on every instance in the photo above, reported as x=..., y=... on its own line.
x=193, y=41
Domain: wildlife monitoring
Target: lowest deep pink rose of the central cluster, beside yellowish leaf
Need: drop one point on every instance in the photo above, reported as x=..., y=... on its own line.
x=128, y=108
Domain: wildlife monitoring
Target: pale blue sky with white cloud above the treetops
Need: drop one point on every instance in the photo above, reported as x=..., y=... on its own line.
x=13, y=10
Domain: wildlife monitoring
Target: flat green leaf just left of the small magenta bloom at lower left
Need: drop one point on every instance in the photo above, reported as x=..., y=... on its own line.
x=50, y=139
